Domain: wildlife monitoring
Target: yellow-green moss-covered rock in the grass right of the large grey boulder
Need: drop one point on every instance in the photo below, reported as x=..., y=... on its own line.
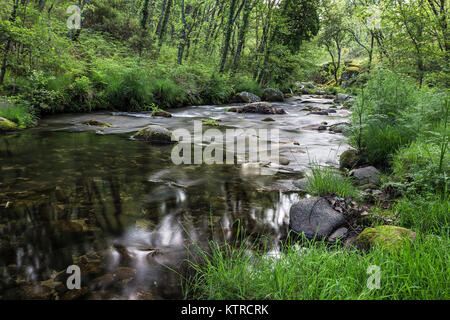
x=388, y=237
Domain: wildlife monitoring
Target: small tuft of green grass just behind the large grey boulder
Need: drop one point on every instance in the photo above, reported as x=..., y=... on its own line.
x=326, y=180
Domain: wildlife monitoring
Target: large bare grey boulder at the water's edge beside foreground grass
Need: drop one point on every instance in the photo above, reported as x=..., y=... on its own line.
x=315, y=218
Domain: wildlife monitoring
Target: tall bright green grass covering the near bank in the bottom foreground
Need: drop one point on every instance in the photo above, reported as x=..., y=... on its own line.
x=417, y=271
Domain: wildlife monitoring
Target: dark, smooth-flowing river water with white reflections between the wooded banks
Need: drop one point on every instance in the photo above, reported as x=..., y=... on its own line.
x=120, y=209
